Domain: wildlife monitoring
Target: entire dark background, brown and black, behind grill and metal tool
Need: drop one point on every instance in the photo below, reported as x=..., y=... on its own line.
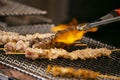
x=62, y=11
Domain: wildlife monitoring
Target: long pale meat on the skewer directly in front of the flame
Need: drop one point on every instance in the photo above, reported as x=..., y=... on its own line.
x=61, y=53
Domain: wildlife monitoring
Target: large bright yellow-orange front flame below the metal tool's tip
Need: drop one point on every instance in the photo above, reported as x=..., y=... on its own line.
x=70, y=36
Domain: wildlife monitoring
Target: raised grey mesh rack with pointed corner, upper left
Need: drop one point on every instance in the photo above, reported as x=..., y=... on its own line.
x=10, y=8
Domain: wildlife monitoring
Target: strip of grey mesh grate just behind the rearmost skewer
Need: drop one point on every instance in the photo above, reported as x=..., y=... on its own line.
x=30, y=29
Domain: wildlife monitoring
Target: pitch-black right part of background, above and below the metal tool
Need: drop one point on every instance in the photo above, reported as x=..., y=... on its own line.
x=90, y=10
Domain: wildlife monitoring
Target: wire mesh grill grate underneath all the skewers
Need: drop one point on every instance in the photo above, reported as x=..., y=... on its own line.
x=36, y=68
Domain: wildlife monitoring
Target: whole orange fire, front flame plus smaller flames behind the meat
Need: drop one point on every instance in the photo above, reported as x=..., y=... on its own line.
x=67, y=35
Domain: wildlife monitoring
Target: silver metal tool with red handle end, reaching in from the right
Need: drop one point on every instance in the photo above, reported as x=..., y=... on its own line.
x=113, y=16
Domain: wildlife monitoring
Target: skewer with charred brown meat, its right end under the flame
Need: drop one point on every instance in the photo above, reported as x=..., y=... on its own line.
x=21, y=45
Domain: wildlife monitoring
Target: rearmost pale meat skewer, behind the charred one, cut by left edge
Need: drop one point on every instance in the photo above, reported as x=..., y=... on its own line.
x=6, y=37
